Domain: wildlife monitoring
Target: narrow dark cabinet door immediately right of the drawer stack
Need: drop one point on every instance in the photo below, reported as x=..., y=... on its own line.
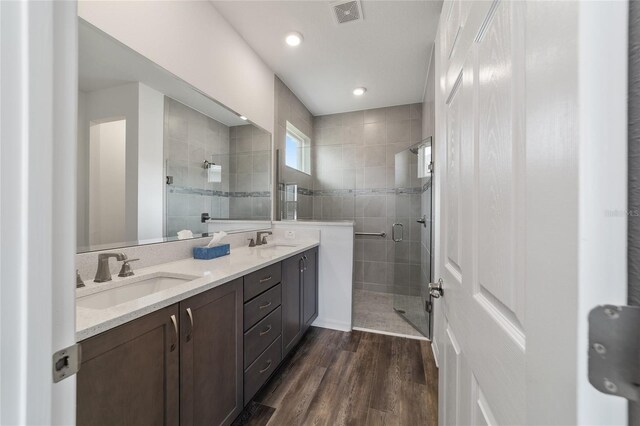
x=291, y=300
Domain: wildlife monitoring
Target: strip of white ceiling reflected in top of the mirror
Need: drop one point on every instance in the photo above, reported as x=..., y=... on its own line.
x=104, y=62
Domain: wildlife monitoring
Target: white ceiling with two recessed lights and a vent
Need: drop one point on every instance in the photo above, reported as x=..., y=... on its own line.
x=387, y=52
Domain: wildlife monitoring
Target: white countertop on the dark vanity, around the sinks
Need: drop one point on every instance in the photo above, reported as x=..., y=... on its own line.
x=210, y=273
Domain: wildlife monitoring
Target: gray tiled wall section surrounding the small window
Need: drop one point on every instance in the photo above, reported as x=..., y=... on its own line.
x=289, y=108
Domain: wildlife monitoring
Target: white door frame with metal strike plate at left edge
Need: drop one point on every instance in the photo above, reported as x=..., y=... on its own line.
x=38, y=84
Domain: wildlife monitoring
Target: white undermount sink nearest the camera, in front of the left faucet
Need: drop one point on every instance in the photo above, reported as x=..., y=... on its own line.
x=134, y=288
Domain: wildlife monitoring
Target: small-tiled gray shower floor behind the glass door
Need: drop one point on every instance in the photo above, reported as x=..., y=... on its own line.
x=374, y=311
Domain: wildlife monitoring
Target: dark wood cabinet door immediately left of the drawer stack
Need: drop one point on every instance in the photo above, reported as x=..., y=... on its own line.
x=211, y=343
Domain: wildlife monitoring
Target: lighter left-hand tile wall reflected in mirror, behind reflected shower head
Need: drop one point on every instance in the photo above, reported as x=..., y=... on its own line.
x=190, y=137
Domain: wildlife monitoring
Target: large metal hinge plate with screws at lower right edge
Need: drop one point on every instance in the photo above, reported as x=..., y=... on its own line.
x=614, y=350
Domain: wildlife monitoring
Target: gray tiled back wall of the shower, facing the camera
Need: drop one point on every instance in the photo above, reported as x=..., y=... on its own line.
x=354, y=158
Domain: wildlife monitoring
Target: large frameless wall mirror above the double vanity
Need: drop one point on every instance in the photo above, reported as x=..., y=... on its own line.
x=156, y=156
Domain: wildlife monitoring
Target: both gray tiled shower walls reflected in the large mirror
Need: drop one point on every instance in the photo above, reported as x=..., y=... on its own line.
x=244, y=152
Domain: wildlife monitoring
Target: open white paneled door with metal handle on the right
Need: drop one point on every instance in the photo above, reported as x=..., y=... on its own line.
x=509, y=328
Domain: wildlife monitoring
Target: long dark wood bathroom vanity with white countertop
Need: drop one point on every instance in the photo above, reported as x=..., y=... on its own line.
x=196, y=353
